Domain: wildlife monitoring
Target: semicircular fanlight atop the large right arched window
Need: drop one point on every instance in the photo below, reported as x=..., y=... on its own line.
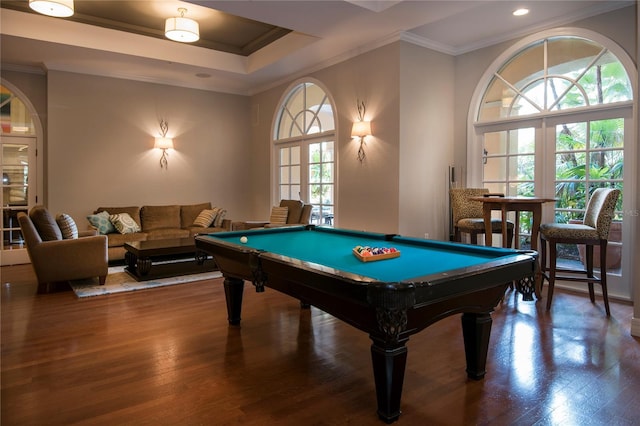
x=555, y=74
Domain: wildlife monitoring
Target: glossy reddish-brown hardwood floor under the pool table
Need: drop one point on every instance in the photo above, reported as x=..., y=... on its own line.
x=166, y=356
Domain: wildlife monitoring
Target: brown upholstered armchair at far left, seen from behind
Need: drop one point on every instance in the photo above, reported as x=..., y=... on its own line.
x=55, y=259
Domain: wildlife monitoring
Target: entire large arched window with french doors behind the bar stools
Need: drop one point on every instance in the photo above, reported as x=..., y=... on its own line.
x=553, y=117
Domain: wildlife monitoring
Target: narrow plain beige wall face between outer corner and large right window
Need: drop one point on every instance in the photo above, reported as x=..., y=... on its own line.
x=426, y=141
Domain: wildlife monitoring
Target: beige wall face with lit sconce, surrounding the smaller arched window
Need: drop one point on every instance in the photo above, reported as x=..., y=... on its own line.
x=367, y=197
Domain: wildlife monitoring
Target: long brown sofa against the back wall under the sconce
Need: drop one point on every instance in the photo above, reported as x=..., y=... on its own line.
x=161, y=222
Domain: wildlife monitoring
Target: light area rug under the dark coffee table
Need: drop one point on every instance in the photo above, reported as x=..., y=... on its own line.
x=118, y=281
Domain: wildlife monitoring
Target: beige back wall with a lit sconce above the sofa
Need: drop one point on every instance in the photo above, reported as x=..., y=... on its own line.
x=100, y=145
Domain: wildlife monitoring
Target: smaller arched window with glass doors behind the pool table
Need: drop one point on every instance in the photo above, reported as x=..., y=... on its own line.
x=304, y=141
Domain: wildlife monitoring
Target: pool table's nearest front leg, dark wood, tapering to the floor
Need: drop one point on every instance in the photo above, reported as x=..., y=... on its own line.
x=388, y=371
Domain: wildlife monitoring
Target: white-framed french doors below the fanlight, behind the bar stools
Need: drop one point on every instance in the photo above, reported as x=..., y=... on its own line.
x=565, y=157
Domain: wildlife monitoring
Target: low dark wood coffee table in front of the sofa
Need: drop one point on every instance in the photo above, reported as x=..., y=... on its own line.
x=166, y=258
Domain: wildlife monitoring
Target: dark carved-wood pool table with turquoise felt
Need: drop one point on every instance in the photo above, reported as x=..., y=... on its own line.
x=389, y=299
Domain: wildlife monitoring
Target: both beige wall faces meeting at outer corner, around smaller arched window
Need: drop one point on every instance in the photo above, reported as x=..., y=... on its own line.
x=401, y=186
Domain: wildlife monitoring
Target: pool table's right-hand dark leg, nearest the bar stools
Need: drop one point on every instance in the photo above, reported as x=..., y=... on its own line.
x=476, y=330
